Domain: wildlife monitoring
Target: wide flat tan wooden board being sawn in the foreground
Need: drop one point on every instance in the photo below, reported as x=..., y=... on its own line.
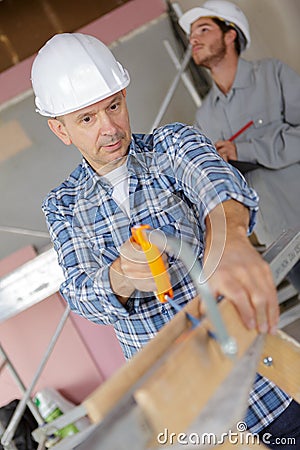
x=188, y=378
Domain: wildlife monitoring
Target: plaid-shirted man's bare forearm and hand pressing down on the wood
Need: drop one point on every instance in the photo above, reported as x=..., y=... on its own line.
x=236, y=271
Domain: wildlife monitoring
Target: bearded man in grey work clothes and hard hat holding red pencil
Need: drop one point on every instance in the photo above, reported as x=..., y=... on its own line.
x=262, y=98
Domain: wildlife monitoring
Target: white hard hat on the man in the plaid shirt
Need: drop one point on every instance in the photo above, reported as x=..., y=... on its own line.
x=74, y=70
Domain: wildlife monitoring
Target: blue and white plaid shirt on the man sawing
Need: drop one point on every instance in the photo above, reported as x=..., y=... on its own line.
x=175, y=179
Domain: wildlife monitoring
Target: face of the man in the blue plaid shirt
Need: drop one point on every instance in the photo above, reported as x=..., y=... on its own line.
x=101, y=132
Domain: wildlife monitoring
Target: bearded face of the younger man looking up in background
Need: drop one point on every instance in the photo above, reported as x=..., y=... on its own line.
x=208, y=44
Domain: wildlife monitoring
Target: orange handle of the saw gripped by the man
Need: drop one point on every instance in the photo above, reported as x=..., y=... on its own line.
x=155, y=262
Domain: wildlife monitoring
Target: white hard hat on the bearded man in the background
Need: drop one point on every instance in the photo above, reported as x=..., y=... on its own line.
x=220, y=9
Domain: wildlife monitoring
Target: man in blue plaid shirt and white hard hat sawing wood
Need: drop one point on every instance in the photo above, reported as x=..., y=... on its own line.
x=172, y=180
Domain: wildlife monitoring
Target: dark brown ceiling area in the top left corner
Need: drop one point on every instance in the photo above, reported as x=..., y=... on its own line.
x=25, y=25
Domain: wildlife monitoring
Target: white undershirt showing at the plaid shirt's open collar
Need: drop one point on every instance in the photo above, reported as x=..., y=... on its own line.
x=119, y=179
